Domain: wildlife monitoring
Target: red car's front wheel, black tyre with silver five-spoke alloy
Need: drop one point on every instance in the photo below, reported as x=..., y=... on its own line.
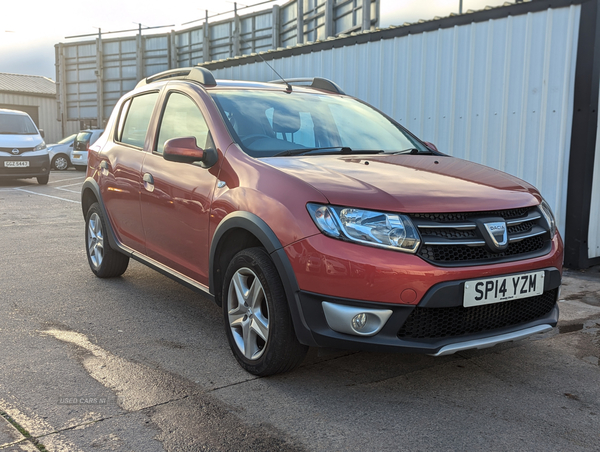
x=257, y=317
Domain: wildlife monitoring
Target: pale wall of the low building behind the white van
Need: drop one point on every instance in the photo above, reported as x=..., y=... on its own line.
x=47, y=114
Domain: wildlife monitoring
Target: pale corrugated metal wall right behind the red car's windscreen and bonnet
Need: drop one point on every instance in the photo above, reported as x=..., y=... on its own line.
x=498, y=92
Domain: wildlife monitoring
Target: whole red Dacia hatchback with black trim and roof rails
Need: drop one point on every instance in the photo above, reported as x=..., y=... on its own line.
x=315, y=220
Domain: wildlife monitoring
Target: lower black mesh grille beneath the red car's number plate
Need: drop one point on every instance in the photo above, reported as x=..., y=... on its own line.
x=436, y=323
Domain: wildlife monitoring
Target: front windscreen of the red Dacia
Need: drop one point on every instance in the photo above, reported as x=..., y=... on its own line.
x=267, y=123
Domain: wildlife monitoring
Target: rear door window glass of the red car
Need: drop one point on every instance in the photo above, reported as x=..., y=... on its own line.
x=136, y=113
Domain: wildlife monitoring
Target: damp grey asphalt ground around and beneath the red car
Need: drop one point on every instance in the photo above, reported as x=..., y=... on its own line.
x=140, y=363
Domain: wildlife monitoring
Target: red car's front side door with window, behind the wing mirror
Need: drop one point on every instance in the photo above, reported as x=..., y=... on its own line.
x=176, y=197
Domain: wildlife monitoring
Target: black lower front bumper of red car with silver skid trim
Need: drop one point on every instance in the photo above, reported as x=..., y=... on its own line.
x=439, y=324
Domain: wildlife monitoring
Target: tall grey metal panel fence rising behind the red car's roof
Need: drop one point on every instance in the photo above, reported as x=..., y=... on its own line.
x=93, y=75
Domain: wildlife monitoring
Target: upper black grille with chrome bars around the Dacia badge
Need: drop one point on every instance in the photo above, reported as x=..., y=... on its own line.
x=458, y=239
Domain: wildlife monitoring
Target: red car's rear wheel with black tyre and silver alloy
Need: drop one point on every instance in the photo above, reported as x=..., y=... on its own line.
x=104, y=261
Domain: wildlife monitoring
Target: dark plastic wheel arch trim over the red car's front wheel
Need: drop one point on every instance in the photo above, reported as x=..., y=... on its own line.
x=260, y=229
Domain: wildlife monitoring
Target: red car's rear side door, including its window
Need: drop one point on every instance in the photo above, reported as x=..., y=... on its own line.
x=121, y=169
